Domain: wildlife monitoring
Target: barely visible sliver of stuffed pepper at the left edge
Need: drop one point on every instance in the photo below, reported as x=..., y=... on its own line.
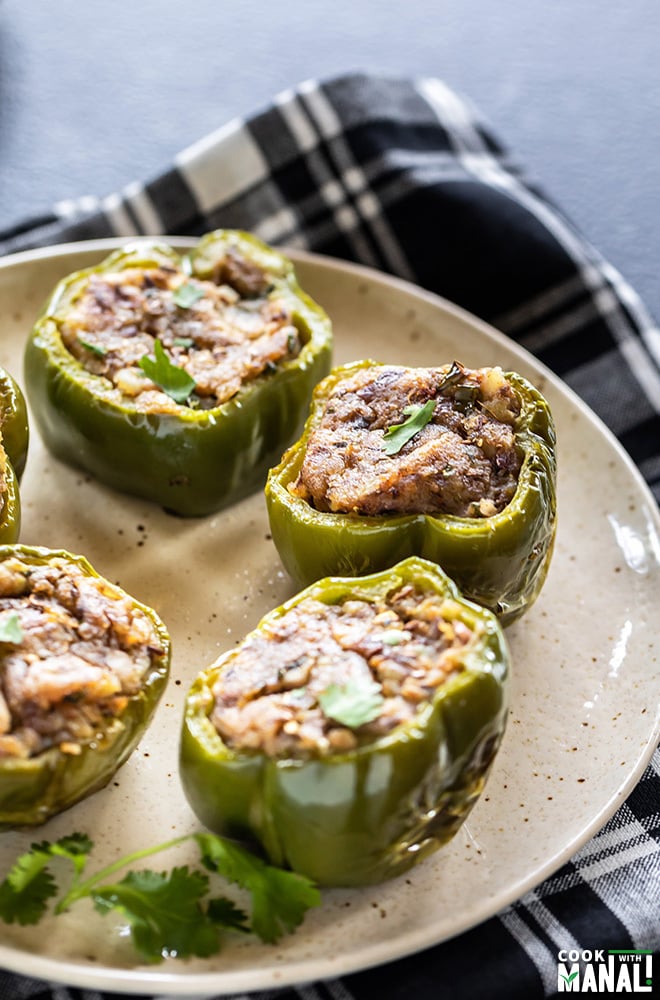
x=13, y=455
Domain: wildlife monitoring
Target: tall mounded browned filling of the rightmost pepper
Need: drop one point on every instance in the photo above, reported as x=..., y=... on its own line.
x=463, y=461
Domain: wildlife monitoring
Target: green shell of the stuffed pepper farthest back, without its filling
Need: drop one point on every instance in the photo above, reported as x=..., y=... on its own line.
x=192, y=461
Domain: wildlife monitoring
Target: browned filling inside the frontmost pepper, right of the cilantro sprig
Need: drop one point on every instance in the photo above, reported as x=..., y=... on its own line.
x=270, y=694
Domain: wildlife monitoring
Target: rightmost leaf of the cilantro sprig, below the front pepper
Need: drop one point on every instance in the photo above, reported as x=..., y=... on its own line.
x=279, y=898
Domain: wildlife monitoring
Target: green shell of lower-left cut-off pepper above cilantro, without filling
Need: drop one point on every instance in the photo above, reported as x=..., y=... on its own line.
x=34, y=788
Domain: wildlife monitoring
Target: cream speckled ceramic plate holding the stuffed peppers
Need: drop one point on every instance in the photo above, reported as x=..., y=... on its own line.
x=583, y=717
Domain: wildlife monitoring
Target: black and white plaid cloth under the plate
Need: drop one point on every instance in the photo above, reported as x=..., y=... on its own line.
x=403, y=175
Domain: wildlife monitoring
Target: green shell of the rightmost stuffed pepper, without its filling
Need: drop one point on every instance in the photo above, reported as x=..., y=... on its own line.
x=499, y=561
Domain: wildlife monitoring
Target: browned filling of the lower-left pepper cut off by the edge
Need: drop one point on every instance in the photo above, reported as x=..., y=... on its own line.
x=83, y=649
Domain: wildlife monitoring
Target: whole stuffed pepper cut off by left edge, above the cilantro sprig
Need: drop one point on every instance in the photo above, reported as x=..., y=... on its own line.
x=82, y=667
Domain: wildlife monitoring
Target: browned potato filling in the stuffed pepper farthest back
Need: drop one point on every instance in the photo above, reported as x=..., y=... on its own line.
x=223, y=332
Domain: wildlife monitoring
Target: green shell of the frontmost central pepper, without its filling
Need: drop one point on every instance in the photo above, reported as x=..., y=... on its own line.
x=359, y=816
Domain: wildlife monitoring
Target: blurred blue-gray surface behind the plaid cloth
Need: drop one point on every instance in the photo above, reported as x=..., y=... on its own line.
x=94, y=95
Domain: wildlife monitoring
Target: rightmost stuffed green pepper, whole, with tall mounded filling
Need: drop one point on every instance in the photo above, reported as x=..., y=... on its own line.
x=453, y=464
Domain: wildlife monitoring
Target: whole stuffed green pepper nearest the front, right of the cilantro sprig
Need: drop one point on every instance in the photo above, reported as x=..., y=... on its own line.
x=351, y=732
